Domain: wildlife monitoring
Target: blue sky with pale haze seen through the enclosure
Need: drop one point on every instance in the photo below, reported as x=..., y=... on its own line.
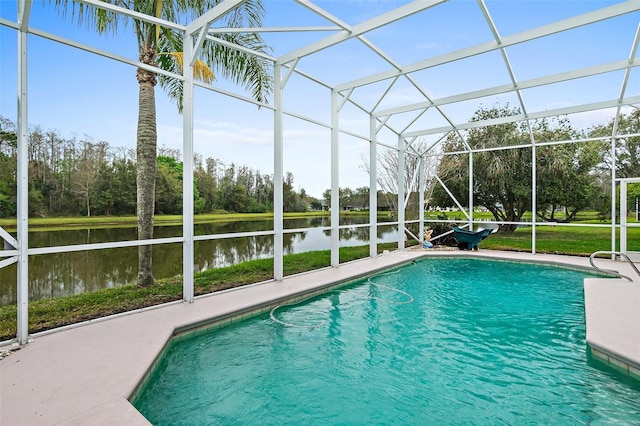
x=81, y=94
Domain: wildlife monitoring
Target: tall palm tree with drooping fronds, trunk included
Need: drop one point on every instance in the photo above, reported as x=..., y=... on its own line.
x=162, y=47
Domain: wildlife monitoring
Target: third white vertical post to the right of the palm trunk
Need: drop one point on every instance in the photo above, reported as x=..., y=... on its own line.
x=335, y=182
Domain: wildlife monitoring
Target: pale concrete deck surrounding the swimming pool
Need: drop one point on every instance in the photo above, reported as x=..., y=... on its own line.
x=84, y=375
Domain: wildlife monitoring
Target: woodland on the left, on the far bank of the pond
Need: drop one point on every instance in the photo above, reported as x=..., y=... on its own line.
x=81, y=176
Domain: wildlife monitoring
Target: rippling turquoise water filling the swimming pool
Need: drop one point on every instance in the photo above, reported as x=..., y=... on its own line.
x=443, y=341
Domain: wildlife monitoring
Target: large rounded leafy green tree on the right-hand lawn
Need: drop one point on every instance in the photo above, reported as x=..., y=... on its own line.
x=502, y=177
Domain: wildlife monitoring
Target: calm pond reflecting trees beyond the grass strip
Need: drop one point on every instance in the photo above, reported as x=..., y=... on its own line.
x=62, y=274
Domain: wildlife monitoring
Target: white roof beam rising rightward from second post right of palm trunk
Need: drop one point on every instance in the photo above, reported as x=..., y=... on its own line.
x=355, y=31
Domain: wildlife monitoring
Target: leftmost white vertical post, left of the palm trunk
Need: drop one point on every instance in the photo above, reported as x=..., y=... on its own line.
x=22, y=190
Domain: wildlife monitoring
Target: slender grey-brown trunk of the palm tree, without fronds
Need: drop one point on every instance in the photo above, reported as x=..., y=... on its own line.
x=146, y=165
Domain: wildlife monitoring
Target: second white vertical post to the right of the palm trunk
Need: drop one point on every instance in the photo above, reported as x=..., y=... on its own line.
x=278, y=162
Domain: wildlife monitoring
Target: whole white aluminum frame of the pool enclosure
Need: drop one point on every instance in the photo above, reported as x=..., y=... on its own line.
x=283, y=67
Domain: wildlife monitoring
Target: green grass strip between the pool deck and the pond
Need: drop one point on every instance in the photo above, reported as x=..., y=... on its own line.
x=53, y=313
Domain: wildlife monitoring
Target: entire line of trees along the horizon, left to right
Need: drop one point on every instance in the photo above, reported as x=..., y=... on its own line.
x=79, y=176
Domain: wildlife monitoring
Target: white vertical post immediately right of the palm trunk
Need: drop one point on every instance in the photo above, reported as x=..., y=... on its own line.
x=187, y=170
